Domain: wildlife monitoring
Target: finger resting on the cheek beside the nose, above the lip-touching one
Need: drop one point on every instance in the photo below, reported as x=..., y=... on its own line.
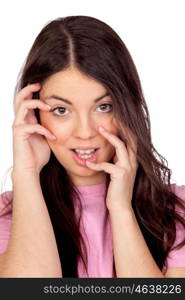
x=121, y=151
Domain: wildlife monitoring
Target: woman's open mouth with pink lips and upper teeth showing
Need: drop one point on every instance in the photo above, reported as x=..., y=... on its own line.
x=81, y=156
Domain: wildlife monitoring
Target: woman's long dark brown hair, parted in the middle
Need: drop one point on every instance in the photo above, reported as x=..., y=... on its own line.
x=96, y=50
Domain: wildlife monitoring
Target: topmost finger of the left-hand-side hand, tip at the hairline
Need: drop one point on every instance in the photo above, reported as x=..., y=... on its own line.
x=25, y=94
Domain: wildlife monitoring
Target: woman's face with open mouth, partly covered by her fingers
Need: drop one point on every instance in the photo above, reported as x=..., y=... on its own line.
x=75, y=121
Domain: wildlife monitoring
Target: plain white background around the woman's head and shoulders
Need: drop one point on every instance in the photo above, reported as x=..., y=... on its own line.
x=154, y=33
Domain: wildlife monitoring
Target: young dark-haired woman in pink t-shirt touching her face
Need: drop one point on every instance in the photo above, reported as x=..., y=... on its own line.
x=86, y=201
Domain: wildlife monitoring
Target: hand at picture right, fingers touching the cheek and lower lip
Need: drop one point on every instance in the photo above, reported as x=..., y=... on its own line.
x=122, y=172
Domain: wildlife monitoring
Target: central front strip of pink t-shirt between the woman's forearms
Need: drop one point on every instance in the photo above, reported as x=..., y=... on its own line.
x=96, y=230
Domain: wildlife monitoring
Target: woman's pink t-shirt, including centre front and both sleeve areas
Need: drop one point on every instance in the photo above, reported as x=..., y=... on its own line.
x=95, y=227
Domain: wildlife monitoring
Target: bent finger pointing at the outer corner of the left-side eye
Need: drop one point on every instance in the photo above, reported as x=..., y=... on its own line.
x=26, y=106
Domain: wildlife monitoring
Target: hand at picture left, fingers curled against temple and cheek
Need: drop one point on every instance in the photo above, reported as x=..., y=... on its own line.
x=30, y=147
